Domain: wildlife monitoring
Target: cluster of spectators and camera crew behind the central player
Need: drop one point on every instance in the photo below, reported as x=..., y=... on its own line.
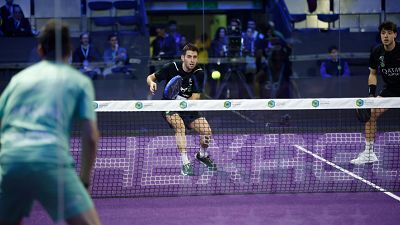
x=264, y=65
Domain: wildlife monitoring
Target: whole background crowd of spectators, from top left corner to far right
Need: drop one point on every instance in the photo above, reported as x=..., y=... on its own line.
x=265, y=68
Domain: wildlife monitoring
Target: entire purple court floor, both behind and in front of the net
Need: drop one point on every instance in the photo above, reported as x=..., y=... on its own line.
x=146, y=169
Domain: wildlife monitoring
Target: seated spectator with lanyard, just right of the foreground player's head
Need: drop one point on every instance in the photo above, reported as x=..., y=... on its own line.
x=85, y=55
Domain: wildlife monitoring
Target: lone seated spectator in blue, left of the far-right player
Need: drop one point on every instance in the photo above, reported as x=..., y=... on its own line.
x=334, y=66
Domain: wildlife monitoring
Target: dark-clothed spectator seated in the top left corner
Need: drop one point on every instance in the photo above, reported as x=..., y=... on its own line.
x=18, y=25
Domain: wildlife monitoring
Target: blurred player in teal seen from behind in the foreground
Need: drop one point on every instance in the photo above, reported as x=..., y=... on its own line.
x=37, y=109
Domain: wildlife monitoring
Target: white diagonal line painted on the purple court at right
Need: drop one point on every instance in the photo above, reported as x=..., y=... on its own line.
x=349, y=173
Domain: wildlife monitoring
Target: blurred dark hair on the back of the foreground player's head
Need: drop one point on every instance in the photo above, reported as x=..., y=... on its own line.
x=47, y=39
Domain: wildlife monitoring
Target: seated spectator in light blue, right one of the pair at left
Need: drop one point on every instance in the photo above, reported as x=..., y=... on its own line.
x=115, y=57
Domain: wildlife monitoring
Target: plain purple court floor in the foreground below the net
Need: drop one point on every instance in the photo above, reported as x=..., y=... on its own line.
x=367, y=208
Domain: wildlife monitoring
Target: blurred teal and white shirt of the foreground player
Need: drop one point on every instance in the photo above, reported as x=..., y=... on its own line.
x=37, y=109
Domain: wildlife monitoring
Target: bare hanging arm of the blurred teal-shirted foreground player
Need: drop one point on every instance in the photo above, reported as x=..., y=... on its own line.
x=90, y=136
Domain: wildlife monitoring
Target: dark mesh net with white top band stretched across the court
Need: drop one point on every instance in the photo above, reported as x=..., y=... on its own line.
x=259, y=146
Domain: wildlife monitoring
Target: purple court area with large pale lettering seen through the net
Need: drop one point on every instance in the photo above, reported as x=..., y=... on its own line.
x=149, y=166
